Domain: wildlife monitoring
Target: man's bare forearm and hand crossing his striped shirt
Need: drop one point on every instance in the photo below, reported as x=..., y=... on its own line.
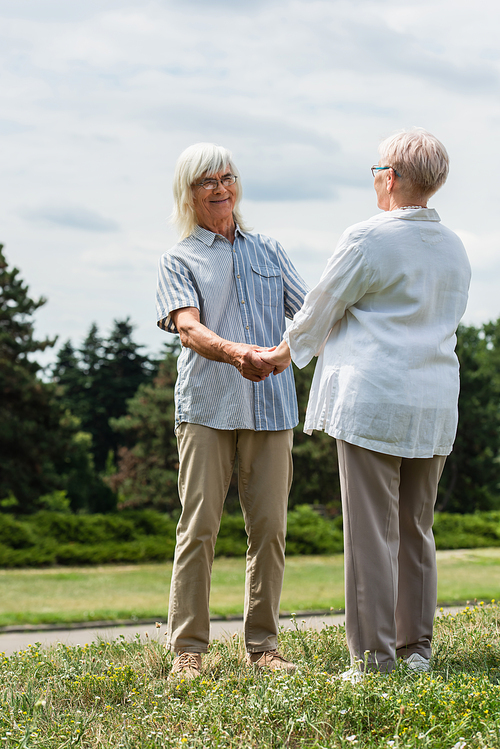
x=205, y=342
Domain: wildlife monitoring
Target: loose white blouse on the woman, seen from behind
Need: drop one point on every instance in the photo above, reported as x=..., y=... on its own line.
x=383, y=320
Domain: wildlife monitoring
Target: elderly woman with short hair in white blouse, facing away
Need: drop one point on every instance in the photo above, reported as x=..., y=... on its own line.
x=384, y=317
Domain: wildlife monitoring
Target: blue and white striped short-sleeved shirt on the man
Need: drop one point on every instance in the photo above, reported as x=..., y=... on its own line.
x=243, y=292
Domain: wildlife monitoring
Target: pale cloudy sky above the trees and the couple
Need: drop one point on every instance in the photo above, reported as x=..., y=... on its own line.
x=97, y=100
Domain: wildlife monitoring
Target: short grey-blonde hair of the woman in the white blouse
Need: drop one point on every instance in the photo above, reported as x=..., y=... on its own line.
x=419, y=157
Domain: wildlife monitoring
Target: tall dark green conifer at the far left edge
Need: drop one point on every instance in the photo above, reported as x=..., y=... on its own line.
x=39, y=440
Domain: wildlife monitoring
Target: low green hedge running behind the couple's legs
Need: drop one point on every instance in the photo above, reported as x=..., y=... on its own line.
x=133, y=536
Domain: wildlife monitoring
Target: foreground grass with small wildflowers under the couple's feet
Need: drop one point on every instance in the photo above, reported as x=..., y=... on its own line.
x=116, y=695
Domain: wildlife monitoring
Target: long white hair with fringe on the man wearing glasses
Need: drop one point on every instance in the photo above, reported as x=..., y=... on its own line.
x=196, y=161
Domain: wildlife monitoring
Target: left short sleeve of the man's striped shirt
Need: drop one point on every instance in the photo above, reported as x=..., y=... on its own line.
x=175, y=289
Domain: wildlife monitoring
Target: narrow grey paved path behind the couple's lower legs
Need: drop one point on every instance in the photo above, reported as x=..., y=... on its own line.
x=11, y=642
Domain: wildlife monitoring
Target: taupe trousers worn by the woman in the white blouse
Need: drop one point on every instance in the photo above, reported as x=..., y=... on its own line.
x=390, y=555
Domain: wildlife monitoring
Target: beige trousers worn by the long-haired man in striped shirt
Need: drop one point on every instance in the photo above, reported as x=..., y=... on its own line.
x=207, y=459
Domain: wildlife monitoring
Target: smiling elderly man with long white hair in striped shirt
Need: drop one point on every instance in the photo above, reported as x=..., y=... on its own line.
x=227, y=292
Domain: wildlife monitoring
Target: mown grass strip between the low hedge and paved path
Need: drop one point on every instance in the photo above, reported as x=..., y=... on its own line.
x=123, y=592
